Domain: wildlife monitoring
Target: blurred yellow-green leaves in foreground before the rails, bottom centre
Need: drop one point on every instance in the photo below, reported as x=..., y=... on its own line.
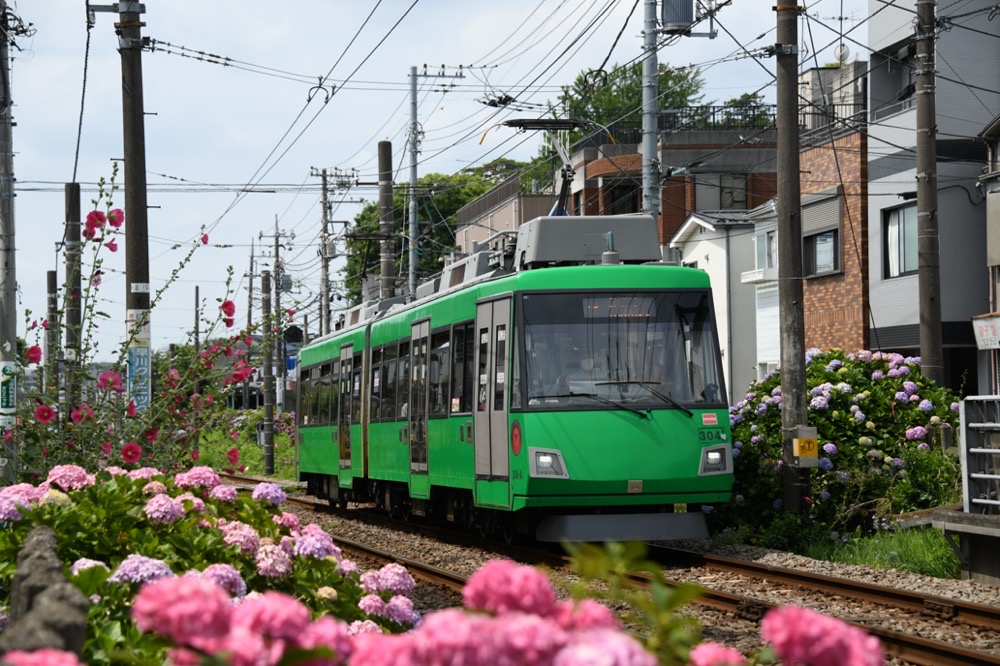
x=671, y=635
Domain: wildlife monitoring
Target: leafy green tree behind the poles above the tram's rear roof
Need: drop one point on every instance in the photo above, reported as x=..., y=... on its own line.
x=440, y=196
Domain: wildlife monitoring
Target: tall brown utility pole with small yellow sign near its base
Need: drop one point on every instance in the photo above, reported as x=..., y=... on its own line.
x=794, y=414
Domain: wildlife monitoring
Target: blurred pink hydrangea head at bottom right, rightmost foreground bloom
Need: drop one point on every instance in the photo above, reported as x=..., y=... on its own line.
x=802, y=635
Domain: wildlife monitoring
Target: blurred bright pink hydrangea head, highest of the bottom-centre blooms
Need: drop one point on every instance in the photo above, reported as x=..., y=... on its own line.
x=503, y=586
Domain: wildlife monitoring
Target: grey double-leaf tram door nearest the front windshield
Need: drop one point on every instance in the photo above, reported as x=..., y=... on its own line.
x=492, y=340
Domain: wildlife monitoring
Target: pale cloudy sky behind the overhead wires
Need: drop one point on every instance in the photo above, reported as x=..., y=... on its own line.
x=250, y=95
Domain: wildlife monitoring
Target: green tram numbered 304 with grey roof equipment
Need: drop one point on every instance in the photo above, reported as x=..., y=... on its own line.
x=551, y=387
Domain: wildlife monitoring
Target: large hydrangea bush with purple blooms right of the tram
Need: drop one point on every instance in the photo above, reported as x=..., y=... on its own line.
x=880, y=424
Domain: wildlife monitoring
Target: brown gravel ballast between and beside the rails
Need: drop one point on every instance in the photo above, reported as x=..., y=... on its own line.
x=719, y=625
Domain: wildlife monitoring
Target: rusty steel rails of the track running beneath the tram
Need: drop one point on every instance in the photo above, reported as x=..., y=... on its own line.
x=955, y=617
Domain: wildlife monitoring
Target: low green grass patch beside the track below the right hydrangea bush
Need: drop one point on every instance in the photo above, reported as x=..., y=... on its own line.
x=920, y=550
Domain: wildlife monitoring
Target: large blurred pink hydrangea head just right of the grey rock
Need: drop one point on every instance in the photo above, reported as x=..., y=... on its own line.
x=183, y=608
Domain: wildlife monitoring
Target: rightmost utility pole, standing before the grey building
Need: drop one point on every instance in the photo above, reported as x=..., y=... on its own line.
x=928, y=247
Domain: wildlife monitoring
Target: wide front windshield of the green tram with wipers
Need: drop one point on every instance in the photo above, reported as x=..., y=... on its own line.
x=601, y=350
